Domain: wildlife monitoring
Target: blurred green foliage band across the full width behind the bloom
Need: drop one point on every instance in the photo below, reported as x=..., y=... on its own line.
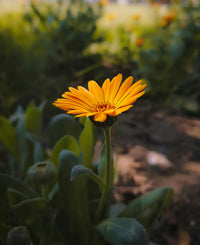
x=45, y=47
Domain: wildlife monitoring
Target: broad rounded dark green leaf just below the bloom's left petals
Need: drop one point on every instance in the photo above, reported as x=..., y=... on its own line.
x=62, y=125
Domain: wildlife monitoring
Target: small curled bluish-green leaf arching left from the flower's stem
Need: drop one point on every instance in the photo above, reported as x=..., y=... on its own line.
x=80, y=170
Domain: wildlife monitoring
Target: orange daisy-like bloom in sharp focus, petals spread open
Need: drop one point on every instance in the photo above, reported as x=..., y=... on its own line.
x=110, y=100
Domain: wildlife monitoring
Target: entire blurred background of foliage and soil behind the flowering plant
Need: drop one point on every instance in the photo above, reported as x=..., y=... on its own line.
x=47, y=46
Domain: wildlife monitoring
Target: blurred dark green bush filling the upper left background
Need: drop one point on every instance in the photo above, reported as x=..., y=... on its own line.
x=43, y=43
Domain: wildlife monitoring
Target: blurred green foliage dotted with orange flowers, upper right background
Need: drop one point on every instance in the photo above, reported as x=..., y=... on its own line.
x=165, y=54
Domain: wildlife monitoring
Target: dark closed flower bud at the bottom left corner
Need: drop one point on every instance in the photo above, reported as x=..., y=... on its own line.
x=19, y=235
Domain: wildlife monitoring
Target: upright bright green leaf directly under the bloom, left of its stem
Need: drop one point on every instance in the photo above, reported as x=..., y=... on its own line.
x=87, y=142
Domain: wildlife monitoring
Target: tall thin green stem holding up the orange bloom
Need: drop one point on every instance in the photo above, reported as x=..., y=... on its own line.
x=108, y=174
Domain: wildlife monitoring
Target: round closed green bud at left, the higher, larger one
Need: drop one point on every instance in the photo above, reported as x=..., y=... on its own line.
x=42, y=173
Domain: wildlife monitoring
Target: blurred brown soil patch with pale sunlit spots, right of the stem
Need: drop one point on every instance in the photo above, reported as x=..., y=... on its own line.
x=155, y=148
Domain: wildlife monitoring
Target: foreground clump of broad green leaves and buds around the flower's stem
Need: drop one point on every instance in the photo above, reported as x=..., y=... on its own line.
x=51, y=189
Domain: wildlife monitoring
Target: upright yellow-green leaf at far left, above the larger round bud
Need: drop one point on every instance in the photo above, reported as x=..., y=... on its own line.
x=33, y=118
